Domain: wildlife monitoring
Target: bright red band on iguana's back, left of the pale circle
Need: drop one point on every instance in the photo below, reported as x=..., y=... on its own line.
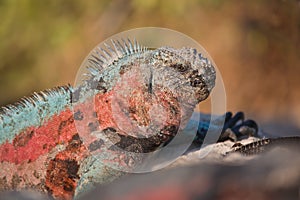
x=33, y=142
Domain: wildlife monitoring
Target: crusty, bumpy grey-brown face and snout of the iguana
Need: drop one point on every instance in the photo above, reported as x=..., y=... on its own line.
x=192, y=68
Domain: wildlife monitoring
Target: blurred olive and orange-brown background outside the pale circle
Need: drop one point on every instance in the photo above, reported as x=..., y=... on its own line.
x=255, y=45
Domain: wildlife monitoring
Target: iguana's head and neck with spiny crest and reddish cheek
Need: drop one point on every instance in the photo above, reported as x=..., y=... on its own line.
x=146, y=93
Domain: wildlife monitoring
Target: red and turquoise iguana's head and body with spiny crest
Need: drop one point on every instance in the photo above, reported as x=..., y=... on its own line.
x=59, y=141
